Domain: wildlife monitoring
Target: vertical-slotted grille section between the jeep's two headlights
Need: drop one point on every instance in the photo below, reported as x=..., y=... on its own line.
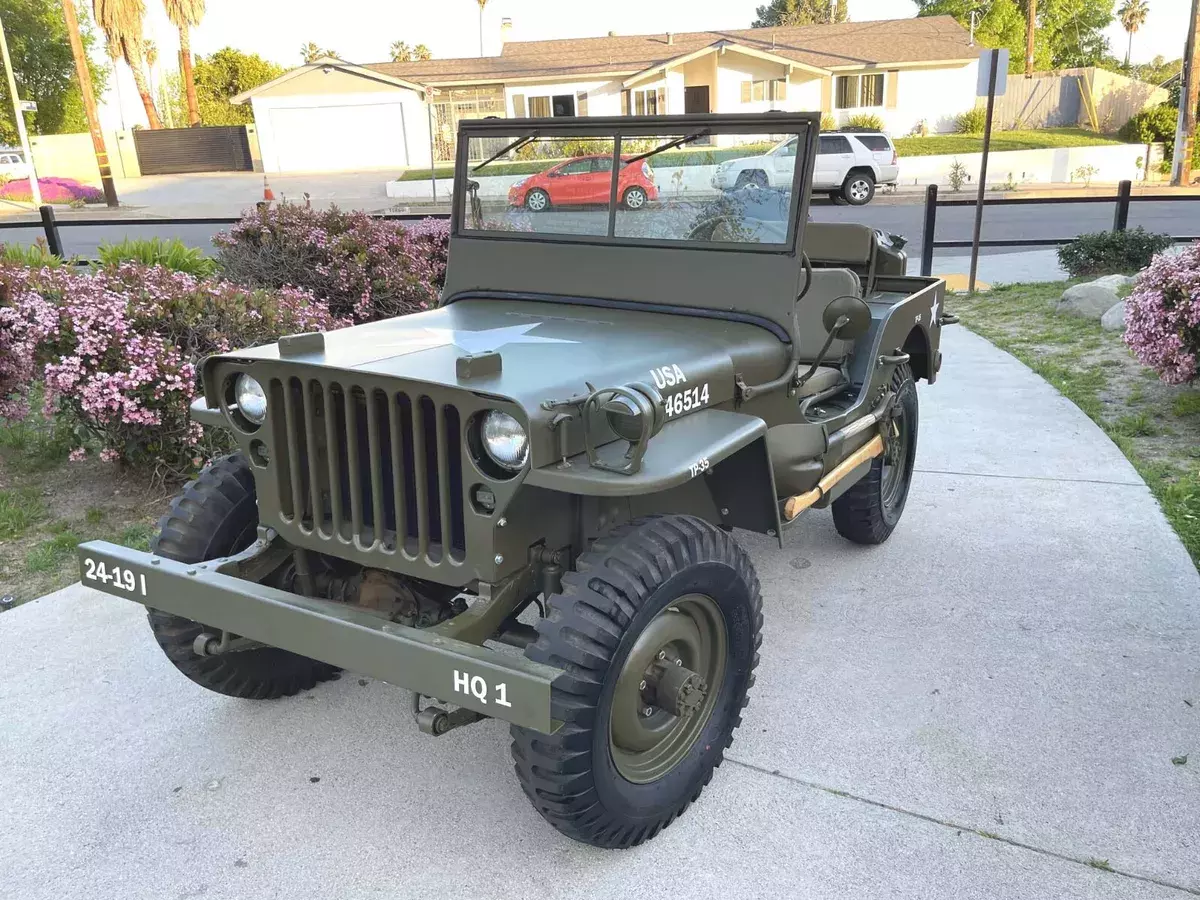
x=359, y=465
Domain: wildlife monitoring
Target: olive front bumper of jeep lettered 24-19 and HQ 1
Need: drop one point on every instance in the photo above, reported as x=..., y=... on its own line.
x=502, y=686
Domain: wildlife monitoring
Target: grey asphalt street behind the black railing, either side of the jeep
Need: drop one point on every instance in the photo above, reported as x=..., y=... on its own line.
x=898, y=215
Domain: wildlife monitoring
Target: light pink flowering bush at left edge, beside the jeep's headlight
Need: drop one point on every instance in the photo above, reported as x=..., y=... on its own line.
x=118, y=351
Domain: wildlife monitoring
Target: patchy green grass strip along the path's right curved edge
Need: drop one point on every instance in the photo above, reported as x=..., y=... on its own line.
x=1156, y=425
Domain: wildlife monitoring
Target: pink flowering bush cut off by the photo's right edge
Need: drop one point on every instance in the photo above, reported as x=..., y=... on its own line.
x=1163, y=316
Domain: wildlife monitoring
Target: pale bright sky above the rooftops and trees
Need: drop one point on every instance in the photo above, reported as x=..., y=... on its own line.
x=362, y=31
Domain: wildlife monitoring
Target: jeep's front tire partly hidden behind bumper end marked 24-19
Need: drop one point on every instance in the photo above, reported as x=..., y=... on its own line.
x=215, y=517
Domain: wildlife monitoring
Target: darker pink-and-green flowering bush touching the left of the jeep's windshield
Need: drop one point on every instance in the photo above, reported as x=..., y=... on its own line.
x=364, y=268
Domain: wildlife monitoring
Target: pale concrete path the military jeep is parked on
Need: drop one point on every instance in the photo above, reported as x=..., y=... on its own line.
x=986, y=707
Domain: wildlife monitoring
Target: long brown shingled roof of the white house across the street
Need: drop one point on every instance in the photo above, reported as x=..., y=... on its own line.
x=850, y=45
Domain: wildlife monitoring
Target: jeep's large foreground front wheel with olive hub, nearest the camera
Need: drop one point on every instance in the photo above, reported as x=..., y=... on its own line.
x=657, y=634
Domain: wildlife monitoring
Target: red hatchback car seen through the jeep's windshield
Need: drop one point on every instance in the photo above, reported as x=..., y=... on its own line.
x=585, y=179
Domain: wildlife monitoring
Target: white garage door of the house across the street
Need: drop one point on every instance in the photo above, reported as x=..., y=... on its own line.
x=340, y=139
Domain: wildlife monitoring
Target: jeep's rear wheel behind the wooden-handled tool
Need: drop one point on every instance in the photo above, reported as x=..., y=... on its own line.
x=871, y=511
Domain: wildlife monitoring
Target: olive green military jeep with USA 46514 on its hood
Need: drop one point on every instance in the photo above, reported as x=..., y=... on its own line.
x=521, y=506
